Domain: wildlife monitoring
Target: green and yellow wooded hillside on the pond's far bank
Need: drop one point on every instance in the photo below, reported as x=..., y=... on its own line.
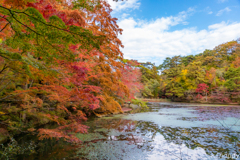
x=211, y=76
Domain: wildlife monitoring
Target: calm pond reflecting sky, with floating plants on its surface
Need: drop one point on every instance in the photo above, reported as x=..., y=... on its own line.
x=166, y=131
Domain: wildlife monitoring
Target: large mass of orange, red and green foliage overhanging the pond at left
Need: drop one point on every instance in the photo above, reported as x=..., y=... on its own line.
x=60, y=61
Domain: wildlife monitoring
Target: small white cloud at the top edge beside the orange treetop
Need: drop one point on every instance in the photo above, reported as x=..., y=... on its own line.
x=122, y=5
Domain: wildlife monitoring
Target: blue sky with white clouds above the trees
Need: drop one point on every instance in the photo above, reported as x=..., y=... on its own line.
x=156, y=29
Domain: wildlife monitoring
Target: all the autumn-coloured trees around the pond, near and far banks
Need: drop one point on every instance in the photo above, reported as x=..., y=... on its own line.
x=60, y=62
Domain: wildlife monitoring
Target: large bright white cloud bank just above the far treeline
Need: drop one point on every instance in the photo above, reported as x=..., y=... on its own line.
x=152, y=40
